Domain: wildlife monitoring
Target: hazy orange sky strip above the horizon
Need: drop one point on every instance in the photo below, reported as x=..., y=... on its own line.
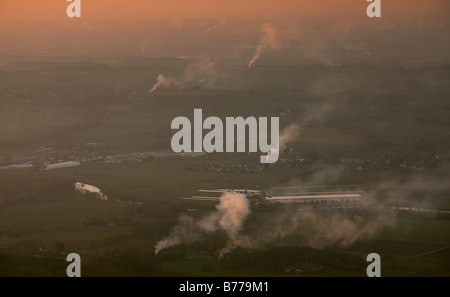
x=41, y=10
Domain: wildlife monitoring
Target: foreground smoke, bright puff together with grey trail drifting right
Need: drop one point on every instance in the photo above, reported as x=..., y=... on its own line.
x=317, y=227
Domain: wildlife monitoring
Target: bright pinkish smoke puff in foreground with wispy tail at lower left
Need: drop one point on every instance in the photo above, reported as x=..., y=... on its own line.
x=229, y=218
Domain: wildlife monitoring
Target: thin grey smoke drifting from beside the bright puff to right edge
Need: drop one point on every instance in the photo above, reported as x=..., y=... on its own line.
x=343, y=225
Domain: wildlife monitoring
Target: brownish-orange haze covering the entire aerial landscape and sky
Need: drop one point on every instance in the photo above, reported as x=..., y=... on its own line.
x=86, y=163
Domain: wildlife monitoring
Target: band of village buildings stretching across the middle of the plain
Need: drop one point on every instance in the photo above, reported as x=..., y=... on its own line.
x=48, y=158
